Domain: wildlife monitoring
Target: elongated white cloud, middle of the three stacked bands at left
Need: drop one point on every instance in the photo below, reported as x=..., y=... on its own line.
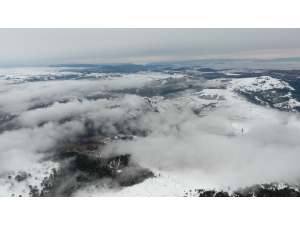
x=98, y=111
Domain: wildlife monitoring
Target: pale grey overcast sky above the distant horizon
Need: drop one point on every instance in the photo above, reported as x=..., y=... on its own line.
x=48, y=46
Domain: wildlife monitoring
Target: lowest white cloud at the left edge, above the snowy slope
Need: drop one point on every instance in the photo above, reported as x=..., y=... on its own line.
x=20, y=148
